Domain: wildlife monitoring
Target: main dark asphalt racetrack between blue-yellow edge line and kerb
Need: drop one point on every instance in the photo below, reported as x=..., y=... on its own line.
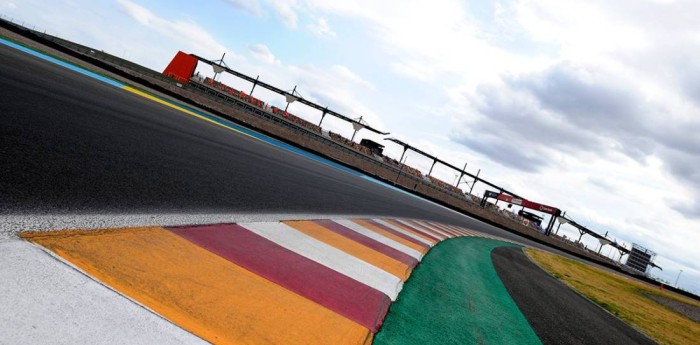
x=72, y=145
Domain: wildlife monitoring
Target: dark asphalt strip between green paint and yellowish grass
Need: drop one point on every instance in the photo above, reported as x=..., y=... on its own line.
x=556, y=313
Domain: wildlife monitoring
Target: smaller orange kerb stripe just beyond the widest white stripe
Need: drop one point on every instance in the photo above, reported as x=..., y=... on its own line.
x=366, y=254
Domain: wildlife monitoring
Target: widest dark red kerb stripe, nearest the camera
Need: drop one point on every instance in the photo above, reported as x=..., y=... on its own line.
x=296, y=273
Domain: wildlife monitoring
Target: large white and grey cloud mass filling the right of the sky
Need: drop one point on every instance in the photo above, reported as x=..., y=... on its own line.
x=560, y=91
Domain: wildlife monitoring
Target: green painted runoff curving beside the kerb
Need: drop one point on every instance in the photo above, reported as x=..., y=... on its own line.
x=455, y=297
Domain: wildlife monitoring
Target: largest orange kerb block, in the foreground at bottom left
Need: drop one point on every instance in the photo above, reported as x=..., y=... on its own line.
x=198, y=290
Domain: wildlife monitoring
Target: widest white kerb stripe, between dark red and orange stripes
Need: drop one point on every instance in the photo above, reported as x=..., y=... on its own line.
x=328, y=256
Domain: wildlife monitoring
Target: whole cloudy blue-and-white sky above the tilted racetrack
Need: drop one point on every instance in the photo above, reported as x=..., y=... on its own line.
x=592, y=107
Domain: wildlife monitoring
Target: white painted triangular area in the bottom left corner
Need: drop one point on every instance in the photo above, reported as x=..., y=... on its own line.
x=45, y=301
